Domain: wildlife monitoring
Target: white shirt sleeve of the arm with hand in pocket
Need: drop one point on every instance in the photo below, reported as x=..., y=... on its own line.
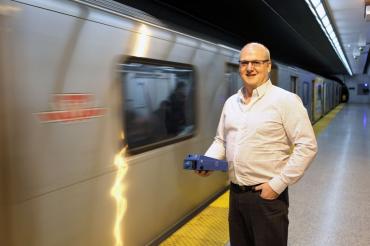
x=300, y=133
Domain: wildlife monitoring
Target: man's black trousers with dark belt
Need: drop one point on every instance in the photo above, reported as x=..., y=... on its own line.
x=254, y=221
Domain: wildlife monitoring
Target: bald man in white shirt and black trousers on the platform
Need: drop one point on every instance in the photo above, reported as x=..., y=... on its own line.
x=258, y=127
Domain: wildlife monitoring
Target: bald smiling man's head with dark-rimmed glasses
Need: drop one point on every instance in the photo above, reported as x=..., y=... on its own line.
x=254, y=65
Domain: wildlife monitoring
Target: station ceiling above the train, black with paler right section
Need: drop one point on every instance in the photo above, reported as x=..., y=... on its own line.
x=287, y=28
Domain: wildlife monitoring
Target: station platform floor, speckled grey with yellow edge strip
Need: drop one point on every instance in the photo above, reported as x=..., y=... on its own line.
x=329, y=206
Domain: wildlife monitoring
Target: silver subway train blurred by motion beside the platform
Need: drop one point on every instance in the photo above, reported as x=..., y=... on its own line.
x=100, y=104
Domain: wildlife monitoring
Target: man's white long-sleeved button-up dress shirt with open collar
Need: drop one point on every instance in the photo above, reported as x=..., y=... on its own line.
x=256, y=138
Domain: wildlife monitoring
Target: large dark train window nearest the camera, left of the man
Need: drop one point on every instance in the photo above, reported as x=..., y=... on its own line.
x=159, y=103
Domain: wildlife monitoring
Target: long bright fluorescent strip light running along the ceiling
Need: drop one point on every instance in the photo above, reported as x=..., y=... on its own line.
x=317, y=8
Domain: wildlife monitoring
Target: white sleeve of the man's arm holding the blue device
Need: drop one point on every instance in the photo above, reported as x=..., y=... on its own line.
x=217, y=149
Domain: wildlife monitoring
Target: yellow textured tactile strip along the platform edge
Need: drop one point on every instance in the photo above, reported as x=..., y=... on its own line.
x=210, y=227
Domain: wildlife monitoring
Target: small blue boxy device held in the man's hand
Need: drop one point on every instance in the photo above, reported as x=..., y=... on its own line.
x=201, y=162
